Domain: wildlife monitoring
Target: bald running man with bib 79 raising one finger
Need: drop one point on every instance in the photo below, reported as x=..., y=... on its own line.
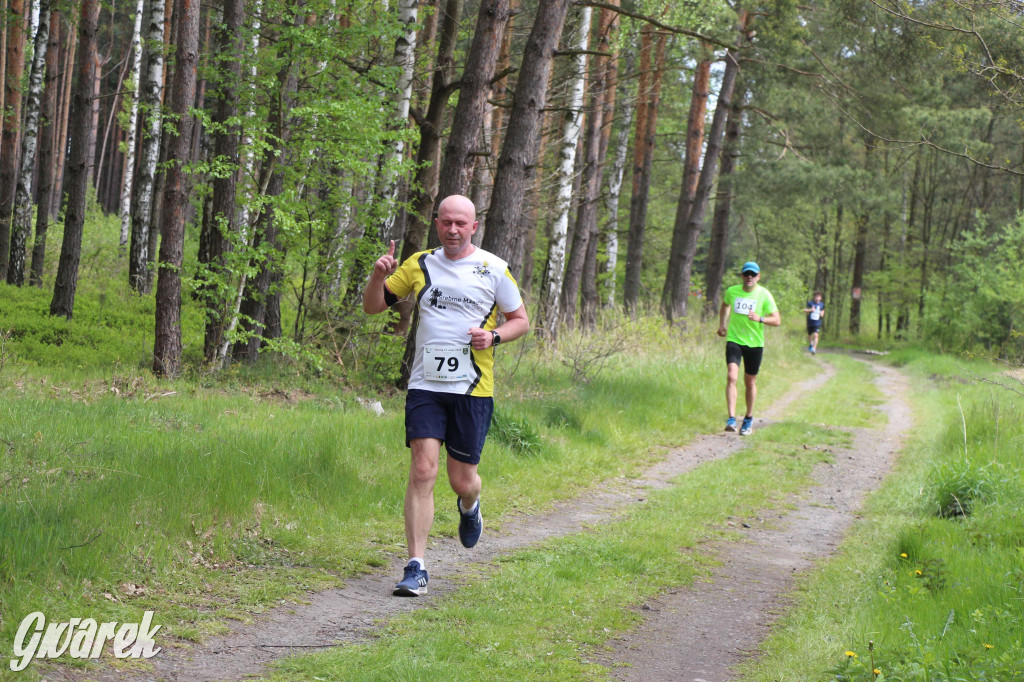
x=459, y=290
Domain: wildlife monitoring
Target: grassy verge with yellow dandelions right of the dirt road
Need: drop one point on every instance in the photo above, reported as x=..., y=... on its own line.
x=929, y=585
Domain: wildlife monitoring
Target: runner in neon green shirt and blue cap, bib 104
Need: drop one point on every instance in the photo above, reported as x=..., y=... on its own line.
x=745, y=339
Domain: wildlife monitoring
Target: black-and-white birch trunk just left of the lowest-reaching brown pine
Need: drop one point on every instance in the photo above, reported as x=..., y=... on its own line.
x=151, y=124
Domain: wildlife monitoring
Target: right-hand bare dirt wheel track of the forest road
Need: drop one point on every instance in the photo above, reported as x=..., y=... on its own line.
x=699, y=634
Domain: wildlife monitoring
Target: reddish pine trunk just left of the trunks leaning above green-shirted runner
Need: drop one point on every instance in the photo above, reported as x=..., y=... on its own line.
x=649, y=95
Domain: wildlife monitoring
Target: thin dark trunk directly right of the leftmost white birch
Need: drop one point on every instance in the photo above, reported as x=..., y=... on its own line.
x=48, y=142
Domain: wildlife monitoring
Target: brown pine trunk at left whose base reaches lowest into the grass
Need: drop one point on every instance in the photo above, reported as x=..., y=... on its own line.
x=167, y=345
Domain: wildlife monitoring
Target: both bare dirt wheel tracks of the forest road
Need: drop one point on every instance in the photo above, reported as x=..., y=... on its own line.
x=744, y=595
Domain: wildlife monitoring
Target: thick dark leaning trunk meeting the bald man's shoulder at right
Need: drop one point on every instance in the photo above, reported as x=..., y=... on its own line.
x=519, y=158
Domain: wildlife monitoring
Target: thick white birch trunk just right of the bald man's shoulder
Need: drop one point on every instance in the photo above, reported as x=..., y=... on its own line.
x=554, y=275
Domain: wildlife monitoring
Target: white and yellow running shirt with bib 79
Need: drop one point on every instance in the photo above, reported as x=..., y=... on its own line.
x=454, y=295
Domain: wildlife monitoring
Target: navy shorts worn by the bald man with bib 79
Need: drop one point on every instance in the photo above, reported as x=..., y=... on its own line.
x=461, y=422
